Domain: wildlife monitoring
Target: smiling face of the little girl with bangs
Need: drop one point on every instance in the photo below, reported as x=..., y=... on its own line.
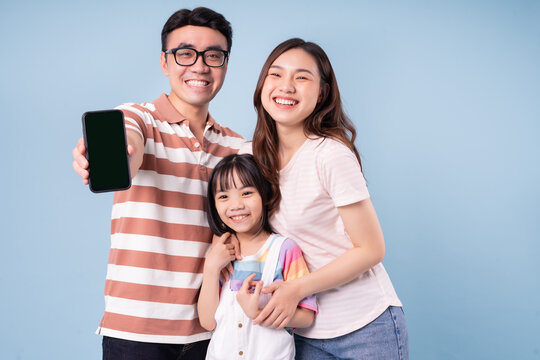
x=240, y=207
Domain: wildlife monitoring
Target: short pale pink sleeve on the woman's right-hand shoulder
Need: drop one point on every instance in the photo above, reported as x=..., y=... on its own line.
x=340, y=174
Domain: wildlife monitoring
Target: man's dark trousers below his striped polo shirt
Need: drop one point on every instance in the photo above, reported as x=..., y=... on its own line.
x=119, y=349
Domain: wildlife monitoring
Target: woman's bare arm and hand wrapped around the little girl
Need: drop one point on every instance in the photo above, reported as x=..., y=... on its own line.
x=362, y=226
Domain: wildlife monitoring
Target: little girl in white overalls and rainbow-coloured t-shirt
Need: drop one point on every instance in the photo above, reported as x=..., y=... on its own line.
x=238, y=195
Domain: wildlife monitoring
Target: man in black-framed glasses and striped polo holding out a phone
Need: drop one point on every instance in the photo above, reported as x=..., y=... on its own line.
x=159, y=232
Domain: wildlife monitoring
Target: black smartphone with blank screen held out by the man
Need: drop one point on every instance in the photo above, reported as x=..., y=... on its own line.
x=106, y=150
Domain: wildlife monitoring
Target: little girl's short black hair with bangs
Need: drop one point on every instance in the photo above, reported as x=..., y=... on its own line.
x=246, y=169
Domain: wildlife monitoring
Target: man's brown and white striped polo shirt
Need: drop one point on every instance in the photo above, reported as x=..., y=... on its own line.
x=159, y=231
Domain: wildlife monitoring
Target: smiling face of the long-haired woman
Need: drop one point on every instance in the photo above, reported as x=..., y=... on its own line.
x=291, y=89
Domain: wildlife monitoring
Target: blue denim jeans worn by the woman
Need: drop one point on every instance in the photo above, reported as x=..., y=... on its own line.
x=385, y=338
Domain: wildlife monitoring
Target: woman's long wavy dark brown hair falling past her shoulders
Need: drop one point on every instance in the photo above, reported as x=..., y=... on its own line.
x=328, y=120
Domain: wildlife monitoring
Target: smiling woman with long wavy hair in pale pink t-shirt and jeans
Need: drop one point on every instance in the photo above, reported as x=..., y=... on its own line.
x=304, y=145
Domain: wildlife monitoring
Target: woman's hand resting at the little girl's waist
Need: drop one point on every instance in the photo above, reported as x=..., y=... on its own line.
x=281, y=307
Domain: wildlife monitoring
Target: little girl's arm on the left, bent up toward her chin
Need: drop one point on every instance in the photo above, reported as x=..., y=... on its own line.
x=219, y=255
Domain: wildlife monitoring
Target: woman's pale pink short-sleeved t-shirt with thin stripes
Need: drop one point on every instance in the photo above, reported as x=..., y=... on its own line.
x=322, y=176
